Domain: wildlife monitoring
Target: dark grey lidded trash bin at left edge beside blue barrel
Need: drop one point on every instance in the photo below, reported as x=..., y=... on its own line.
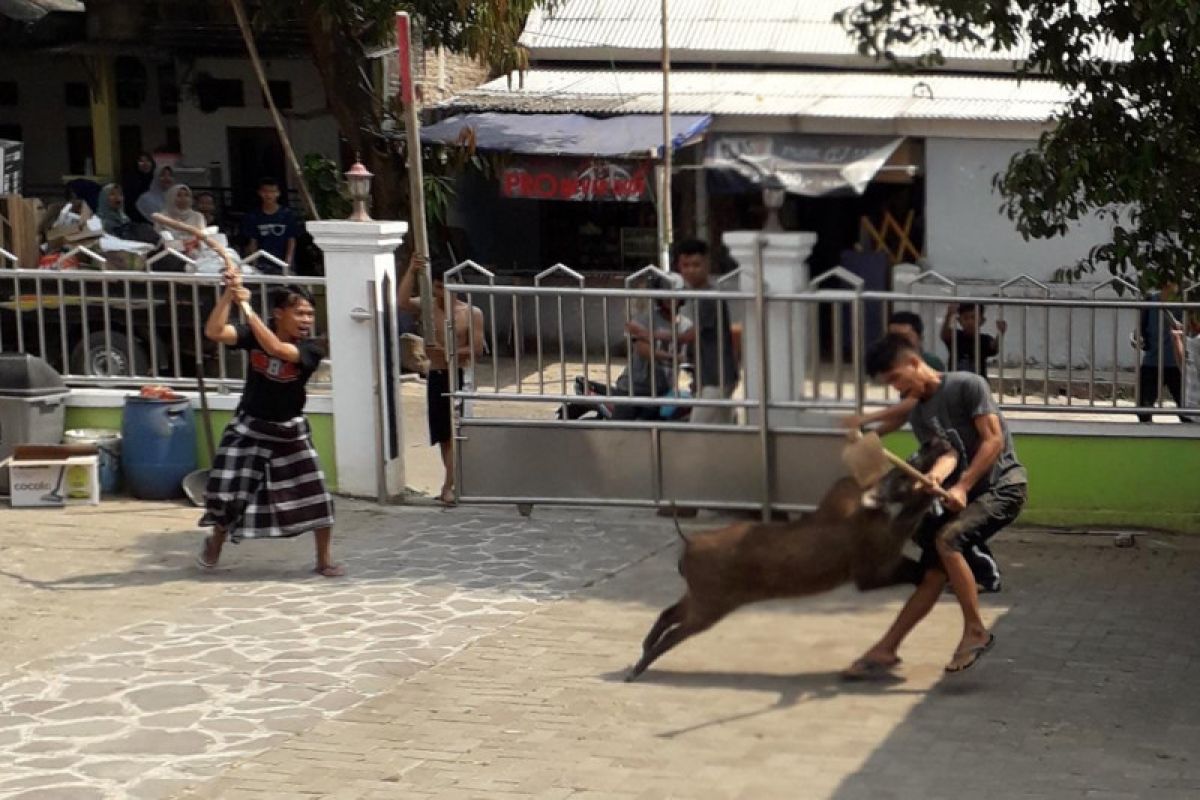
x=33, y=406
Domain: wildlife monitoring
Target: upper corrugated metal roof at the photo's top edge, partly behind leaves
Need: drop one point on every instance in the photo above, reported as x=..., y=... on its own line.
x=755, y=32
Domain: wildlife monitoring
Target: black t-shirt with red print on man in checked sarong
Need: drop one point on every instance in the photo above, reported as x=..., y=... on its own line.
x=275, y=388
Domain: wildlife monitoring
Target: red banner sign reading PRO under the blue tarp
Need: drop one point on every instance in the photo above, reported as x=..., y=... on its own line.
x=581, y=181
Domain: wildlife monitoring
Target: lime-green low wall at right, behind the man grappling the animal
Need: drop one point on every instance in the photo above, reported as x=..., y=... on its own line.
x=1079, y=482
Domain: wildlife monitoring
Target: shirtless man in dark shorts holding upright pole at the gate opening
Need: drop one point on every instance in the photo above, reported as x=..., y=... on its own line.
x=469, y=327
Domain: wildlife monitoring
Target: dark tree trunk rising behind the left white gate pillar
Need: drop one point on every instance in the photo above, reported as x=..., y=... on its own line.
x=344, y=74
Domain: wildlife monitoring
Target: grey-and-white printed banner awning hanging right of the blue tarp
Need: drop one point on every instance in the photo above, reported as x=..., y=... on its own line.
x=812, y=166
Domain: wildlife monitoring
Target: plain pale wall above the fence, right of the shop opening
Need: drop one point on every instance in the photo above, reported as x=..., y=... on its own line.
x=967, y=236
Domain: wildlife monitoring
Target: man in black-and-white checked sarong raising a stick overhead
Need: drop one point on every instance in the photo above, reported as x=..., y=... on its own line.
x=266, y=479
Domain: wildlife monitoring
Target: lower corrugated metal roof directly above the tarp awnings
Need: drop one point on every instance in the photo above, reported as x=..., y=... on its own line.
x=831, y=95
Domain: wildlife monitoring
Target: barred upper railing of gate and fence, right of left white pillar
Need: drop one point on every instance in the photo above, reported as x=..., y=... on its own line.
x=1065, y=351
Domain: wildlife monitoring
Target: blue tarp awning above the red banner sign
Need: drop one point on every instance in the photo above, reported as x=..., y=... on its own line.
x=567, y=135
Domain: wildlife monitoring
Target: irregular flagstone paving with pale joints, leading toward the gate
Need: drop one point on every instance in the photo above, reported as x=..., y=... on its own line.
x=151, y=708
